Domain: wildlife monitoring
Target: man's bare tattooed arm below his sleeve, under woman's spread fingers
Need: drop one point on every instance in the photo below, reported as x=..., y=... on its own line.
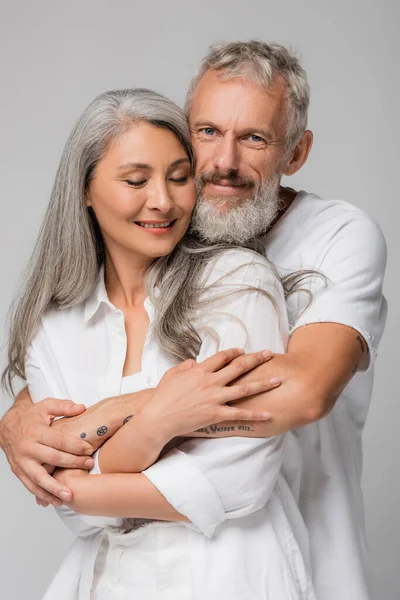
x=322, y=358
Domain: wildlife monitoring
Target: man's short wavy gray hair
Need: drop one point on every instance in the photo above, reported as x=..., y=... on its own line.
x=263, y=63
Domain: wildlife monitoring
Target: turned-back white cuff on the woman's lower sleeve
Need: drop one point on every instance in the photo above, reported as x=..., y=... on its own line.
x=188, y=490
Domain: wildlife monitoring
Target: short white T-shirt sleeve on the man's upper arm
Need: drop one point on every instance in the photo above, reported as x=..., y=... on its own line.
x=354, y=266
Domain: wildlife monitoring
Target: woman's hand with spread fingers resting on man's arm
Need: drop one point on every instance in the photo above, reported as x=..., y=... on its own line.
x=195, y=395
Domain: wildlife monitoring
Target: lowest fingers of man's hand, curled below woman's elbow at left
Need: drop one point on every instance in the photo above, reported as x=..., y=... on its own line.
x=44, y=486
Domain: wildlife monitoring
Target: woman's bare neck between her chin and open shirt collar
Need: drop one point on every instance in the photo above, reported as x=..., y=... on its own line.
x=125, y=278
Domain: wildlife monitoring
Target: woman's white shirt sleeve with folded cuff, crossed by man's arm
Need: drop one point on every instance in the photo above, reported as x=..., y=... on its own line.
x=211, y=480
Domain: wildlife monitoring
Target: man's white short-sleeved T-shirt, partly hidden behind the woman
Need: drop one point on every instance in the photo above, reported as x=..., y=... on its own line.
x=344, y=244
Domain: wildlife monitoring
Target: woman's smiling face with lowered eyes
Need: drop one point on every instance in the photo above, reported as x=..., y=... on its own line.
x=143, y=193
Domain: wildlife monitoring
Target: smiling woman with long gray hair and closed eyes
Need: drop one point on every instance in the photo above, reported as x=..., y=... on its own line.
x=118, y=295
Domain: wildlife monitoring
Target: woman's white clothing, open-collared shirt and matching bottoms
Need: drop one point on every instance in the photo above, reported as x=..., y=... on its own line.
x=246, y=538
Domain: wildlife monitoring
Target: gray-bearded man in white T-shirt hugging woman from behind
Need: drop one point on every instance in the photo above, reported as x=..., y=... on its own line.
x=247, y=110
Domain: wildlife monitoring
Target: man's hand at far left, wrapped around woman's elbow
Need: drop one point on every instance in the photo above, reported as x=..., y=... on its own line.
x=29, y=442
